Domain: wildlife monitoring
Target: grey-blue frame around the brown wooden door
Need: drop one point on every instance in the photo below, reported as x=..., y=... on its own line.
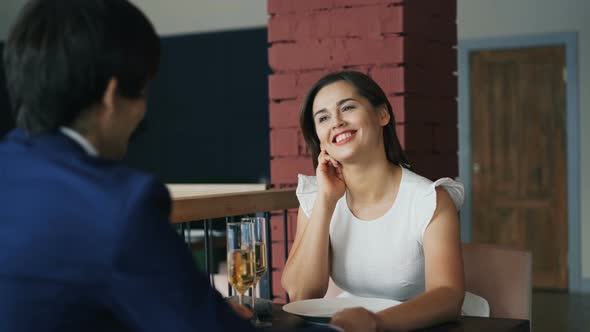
x=570, y=41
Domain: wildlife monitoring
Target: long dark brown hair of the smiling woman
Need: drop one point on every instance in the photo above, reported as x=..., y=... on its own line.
x=367, y=88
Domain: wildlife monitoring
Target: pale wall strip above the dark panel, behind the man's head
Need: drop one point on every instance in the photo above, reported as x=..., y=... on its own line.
x=171, y=17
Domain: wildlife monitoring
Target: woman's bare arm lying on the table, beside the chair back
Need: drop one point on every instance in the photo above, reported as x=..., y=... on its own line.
x=445, y=285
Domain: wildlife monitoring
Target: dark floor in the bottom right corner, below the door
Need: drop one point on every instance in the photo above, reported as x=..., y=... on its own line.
x=560, y=311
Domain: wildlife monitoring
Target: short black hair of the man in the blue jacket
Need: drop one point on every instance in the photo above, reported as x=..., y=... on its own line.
x=60, y=55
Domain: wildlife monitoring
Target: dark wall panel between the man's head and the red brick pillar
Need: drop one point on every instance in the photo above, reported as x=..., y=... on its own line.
x=207, y=117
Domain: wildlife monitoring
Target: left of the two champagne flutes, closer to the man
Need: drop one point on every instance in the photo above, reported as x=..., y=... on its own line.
x=240, y=256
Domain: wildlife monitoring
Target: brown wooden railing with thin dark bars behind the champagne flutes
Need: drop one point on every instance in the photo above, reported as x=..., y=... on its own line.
x=196, y=205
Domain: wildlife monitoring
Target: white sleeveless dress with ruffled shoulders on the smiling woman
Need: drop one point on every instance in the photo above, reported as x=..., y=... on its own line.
x=384, y=257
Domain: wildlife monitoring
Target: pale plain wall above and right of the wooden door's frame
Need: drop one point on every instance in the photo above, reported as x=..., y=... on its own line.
x=501, y=18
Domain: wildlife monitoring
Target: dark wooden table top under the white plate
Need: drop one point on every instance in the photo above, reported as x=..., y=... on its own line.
x=285, y=321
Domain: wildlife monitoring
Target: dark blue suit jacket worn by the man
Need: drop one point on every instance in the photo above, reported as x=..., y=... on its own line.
x=86, y=245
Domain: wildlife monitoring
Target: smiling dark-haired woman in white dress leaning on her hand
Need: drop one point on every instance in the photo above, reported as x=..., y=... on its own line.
x=368, y=221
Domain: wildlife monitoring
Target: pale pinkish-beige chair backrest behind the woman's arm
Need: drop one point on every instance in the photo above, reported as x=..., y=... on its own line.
x=500, y=275
